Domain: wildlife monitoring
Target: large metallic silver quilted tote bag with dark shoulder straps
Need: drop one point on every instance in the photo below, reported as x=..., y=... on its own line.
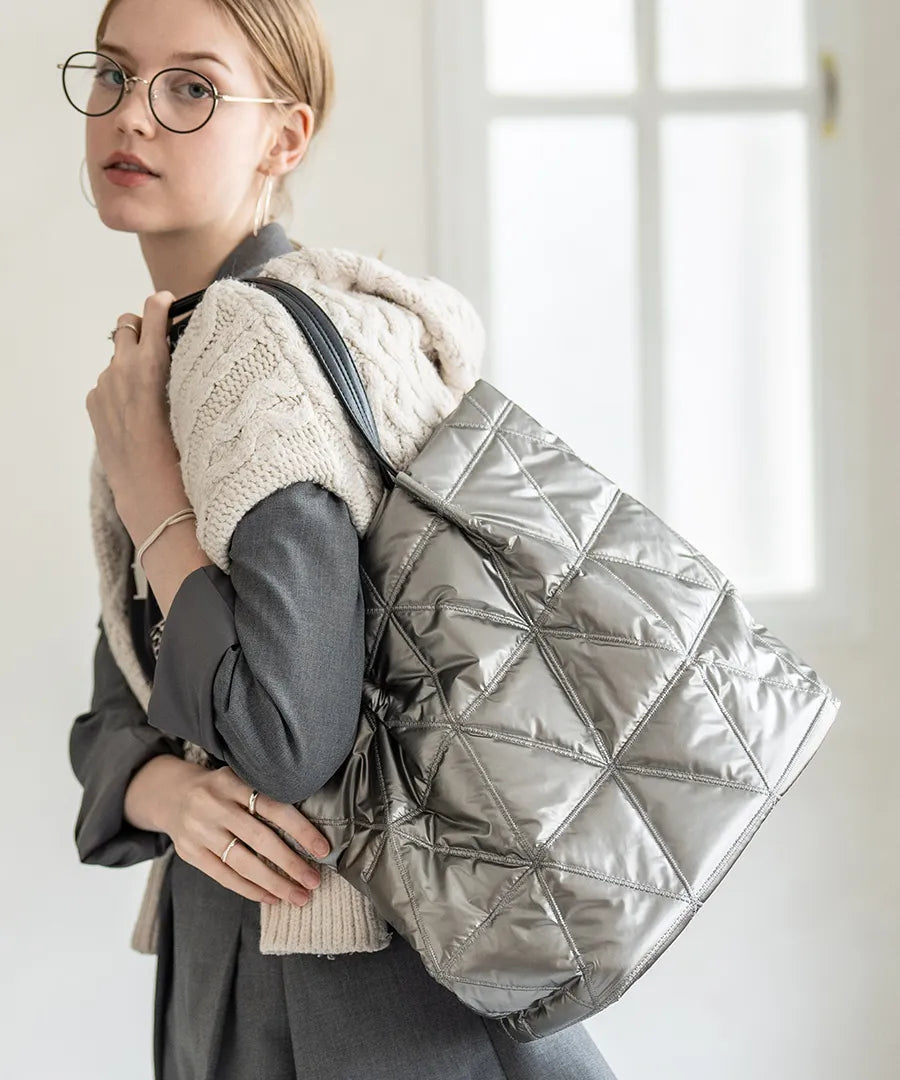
x=571, y=725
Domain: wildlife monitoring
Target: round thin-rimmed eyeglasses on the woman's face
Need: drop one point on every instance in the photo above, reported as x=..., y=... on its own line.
x=181, y=100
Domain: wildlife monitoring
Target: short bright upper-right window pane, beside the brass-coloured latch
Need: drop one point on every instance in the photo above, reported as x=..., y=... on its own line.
x=732, y=44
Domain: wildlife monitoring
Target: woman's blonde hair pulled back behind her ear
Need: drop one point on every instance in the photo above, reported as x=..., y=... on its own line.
x=290, y=52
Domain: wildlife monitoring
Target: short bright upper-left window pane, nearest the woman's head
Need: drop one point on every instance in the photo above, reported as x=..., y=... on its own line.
x=570, y=47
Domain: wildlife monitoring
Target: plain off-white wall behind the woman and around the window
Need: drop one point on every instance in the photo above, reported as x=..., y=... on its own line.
x=789, y=975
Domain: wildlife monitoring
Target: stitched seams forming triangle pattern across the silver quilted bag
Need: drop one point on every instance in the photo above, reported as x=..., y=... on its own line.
x=530, y=632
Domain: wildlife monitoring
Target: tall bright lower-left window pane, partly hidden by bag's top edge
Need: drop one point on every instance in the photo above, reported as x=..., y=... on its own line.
x=563, y=273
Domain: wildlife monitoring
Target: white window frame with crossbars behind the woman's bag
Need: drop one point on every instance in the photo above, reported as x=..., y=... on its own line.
x=460, y=110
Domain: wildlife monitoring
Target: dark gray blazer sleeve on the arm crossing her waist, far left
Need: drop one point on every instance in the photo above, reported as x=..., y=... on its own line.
x=108, y=746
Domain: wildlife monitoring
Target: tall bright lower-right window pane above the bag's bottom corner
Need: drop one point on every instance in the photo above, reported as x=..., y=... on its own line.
x=737, y=353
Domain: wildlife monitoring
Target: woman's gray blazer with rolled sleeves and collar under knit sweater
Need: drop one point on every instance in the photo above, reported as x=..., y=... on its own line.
x=262, y=668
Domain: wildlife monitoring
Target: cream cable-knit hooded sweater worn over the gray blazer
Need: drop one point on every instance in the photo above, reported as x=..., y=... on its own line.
x=252, y=412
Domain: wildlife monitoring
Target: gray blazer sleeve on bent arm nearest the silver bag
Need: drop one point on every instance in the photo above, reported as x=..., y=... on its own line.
x=264, y=667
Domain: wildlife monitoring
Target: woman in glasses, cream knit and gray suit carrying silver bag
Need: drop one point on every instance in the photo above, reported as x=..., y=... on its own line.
x=267, y=966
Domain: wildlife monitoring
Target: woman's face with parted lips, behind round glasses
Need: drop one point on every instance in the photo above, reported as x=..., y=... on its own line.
x=209, y=175
